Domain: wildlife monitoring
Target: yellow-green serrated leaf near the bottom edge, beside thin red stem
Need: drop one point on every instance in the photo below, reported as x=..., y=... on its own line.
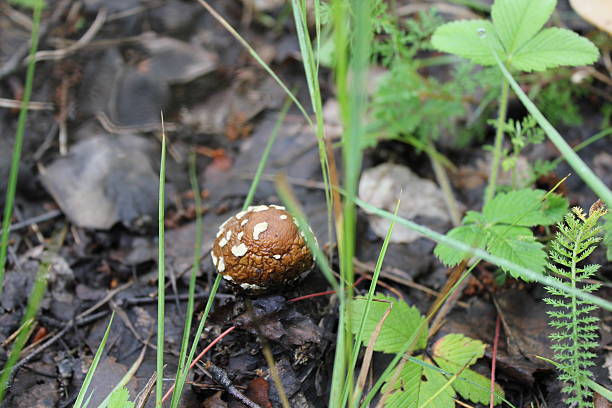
x=453, y=353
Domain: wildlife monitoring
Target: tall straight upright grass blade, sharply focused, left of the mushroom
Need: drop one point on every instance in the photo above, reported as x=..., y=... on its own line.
x=161, y=273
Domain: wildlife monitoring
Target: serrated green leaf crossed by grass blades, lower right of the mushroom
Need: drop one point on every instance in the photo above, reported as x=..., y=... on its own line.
x=399, y=326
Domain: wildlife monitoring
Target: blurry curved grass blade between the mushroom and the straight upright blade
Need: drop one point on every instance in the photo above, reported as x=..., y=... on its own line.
x=197, y=256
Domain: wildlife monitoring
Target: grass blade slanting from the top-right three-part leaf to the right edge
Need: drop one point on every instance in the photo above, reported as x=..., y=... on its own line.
x=579, y=166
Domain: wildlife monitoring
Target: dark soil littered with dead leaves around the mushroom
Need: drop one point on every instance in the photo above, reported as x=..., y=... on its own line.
x=89, y=173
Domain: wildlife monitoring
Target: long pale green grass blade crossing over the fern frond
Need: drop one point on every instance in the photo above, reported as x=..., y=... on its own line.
x=460, y=246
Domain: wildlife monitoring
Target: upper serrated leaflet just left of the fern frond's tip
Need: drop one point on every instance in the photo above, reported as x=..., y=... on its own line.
x=525, y=208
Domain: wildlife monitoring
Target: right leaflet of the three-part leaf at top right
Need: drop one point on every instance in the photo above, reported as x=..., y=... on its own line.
x=554, y=47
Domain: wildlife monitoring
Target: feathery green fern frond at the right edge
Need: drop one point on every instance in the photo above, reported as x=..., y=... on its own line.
x=576, y=328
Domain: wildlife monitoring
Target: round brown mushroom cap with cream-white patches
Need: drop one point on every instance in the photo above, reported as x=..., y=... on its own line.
x=261, y=249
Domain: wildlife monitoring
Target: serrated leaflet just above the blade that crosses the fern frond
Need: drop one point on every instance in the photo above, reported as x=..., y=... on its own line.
x=518, y=245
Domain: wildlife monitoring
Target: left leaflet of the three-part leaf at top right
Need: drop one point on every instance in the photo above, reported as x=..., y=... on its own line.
x=462, y=38
